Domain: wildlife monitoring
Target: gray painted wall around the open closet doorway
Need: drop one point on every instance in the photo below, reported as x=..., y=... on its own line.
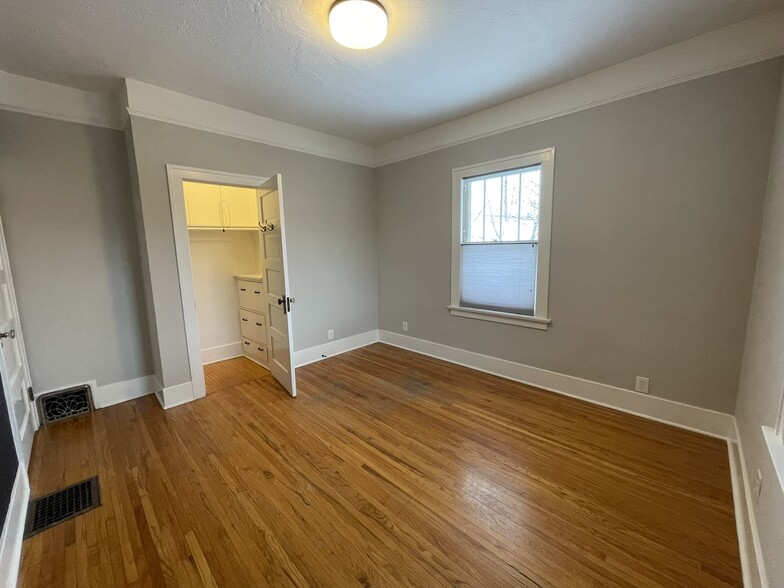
x=331, y=233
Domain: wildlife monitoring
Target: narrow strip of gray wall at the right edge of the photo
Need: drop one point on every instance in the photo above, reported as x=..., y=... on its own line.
x=763, y=363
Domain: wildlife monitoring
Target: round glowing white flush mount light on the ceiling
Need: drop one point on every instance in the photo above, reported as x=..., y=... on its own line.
x=358, y=24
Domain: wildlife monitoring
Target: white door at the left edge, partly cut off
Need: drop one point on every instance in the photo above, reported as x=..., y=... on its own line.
x=13, y=360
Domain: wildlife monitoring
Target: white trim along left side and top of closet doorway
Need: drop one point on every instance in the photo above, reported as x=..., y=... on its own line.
x=176, y=174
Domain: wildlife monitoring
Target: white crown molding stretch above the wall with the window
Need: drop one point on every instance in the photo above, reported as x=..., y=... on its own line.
x=750, y=41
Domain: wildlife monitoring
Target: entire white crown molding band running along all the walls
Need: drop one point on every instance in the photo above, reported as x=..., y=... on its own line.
x=750, y=41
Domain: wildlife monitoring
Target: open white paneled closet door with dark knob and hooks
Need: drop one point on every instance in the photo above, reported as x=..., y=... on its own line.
x=278, y=302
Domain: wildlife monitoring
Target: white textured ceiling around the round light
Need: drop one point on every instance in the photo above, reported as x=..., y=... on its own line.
x=442, y=59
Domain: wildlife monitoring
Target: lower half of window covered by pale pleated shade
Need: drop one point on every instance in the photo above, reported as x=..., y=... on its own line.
x=500, y=276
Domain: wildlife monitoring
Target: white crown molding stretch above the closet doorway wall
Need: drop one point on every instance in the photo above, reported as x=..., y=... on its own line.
x=156, y=103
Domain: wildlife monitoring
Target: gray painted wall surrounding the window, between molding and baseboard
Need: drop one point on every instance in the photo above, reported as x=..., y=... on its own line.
x=657, y=208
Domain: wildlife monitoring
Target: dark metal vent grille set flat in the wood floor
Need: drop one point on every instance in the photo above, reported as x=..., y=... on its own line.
x=47, y=511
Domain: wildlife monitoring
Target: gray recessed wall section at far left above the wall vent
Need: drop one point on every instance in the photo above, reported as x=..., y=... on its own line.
x=66, y=209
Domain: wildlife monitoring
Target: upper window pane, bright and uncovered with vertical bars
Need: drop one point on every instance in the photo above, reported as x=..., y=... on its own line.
x=503, y=207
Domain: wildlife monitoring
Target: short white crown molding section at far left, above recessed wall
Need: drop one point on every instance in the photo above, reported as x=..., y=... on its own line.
x=31, y=96
